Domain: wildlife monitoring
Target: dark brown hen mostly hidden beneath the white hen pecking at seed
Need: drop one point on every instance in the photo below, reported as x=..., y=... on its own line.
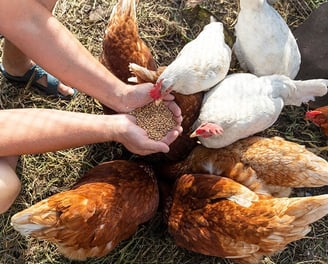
x=189, y=105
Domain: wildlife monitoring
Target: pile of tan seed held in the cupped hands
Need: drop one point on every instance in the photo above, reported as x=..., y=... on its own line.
x=155, y=120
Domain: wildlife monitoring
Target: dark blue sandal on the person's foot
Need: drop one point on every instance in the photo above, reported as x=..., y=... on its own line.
x=35, y=73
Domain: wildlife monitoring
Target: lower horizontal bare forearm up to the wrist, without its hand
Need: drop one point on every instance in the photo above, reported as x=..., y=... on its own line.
x=30, y=131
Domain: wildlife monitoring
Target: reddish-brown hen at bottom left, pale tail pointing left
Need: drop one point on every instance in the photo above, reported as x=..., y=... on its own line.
x=103, y=208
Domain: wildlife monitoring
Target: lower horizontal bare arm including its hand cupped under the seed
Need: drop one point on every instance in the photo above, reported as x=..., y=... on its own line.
x=31, y=131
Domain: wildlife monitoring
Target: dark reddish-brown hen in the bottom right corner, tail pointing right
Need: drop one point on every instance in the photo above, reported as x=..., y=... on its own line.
x=217, y=216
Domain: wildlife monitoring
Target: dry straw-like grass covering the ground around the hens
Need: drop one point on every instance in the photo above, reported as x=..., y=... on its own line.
x=166, y=30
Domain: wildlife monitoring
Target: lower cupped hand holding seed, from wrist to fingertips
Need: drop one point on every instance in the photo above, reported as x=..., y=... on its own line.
x=136, y=140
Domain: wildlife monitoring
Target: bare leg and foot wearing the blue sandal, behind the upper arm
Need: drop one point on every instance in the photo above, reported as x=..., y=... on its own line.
x=17, y=63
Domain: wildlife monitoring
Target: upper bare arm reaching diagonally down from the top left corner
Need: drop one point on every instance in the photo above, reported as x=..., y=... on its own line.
x=33, y=29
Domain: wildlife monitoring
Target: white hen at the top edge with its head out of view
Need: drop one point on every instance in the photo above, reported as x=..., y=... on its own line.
x=264, y=43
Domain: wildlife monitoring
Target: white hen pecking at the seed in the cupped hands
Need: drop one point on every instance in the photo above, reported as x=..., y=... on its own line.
x=201, y=64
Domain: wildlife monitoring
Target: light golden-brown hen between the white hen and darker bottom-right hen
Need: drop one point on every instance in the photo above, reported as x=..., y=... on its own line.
x=265, y=165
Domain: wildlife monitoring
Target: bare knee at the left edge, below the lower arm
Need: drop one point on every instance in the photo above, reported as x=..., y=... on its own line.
x=10, y=185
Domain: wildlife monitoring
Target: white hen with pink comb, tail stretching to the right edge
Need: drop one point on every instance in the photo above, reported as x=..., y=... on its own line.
x=244, y=104
